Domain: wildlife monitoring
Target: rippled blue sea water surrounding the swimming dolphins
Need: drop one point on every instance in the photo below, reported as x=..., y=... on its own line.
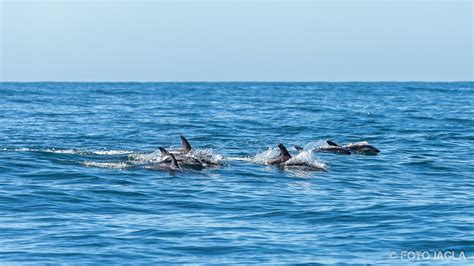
x=69, y=192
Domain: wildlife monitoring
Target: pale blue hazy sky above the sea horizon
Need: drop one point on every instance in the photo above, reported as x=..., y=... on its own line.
x=229, y=40
